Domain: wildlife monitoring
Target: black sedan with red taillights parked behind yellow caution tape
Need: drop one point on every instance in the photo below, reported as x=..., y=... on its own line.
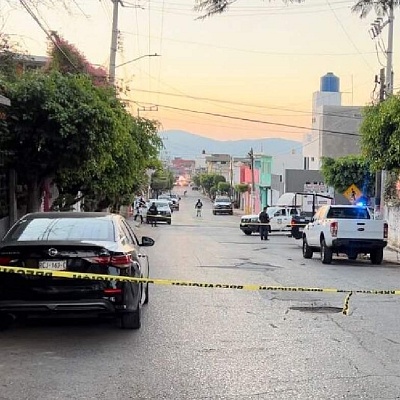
x=96, y=243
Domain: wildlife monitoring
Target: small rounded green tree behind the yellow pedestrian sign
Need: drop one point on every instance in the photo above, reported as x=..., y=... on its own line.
x=342, y=172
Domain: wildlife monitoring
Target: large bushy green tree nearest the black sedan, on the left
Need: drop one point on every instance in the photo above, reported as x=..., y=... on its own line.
x=60, y=126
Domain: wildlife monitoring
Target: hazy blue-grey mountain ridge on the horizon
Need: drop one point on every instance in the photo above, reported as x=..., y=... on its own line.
x=188, y=145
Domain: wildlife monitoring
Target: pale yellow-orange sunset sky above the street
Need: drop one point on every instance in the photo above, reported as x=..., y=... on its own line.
x=260, y=61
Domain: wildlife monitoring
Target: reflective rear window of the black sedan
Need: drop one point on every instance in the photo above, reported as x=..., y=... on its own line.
x=48, y=229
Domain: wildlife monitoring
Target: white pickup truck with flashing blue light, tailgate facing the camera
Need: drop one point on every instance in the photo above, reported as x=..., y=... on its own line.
x=347, y=229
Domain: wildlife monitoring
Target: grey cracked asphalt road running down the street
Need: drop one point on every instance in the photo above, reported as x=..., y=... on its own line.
x=208, y=343
